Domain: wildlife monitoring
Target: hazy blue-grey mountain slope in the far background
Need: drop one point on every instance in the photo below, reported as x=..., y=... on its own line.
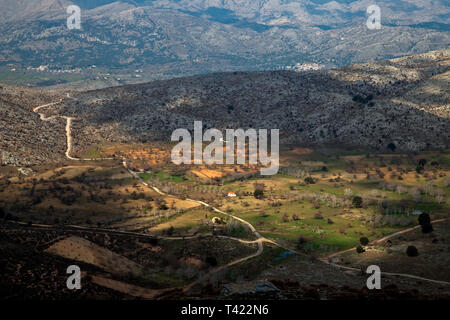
x=174, y=38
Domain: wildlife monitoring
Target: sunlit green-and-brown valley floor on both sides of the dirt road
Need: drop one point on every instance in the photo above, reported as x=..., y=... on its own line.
x=321, y=210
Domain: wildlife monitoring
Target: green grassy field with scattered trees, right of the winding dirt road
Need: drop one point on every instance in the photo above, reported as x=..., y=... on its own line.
x=322, y=213
